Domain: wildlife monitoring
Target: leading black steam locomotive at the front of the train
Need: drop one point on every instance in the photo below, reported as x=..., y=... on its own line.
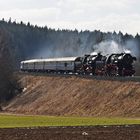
x=120, y=64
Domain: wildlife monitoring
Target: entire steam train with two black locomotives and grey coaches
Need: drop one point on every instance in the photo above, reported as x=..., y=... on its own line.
x=117, y=64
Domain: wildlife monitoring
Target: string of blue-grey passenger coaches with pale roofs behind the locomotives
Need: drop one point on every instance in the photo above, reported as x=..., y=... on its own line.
x=67, y=64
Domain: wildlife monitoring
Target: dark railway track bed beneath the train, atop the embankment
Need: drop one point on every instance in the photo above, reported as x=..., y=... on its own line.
x=112, y=78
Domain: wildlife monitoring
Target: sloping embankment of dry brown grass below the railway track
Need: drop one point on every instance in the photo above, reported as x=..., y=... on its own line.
x=49, y=95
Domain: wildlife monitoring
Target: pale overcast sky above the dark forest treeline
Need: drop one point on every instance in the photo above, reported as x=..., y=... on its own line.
x=104, y=15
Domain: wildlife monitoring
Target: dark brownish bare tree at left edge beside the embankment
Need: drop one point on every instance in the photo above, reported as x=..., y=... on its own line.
x=8, y=82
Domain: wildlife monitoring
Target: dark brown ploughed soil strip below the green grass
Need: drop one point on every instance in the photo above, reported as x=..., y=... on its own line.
x=131, y=132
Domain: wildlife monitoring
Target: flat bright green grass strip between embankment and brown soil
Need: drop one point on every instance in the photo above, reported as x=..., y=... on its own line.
x=7, y=121
